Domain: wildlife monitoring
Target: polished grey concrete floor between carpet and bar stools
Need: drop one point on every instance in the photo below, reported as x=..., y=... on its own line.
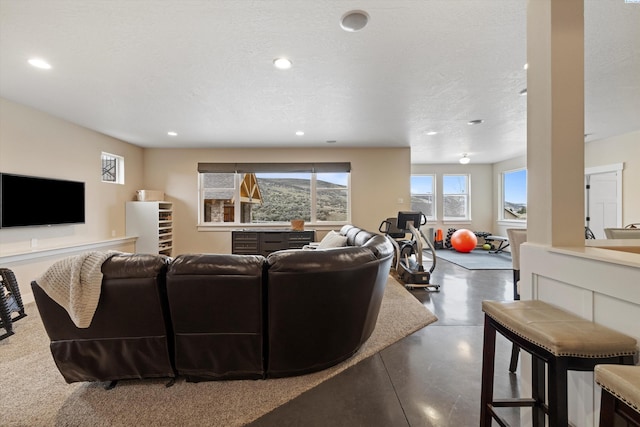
x=430, y=378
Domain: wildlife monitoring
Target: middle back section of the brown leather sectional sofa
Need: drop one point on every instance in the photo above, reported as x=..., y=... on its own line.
x=217, y=315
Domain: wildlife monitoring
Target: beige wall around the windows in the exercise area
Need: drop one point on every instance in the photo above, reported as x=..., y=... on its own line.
x=481, y=186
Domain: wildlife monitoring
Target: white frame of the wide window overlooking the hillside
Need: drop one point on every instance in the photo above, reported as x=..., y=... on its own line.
x=237, y=211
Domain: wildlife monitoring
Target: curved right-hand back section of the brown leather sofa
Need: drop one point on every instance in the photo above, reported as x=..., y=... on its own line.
x=323, y=305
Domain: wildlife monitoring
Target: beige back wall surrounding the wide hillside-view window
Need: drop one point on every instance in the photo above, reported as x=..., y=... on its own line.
x=379, y=179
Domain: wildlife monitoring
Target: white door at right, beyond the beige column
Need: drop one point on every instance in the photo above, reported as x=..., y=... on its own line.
x=602, y=199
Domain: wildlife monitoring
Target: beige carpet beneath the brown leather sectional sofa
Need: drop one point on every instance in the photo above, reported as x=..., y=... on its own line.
x=33, y=393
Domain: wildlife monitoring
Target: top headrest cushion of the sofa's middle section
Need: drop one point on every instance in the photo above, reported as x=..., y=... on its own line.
x=215, y=264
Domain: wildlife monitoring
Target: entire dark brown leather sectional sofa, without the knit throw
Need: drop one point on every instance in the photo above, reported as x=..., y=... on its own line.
x=214, y=316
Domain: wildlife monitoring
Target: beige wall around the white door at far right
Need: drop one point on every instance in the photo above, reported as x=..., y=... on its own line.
x=620, y=149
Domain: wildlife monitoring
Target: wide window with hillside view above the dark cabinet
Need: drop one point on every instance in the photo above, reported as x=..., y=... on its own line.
x=247, y=194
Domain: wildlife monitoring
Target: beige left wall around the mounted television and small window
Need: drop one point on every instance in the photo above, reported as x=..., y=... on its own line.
x=35, y=143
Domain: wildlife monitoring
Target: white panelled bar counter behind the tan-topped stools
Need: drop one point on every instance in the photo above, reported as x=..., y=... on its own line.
x=600, y=282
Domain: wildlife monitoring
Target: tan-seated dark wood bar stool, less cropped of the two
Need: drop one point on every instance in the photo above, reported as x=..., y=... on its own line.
x=561, y=340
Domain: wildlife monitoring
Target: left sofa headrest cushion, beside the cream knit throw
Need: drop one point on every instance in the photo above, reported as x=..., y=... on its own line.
x=125, y=266
